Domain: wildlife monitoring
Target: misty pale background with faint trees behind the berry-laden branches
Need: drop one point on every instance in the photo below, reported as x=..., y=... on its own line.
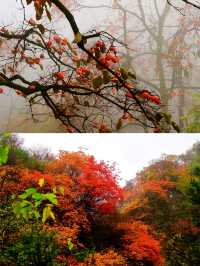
x=162, y=49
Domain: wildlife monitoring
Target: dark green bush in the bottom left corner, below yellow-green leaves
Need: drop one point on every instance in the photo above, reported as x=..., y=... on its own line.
x=34, y=248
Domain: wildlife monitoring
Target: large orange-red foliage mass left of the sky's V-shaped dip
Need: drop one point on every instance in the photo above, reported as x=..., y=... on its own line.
x=83, y=188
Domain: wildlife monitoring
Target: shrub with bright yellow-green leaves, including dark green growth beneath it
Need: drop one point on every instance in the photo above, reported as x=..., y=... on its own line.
x=34, y=246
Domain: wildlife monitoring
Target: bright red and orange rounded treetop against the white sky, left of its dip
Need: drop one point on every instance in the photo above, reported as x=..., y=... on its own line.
x=96, y=182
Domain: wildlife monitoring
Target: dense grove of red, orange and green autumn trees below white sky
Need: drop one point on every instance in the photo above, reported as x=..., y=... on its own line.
x=70, y=210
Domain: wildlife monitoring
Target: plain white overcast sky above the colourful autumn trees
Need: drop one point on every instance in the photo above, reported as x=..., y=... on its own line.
x=131, y=152
